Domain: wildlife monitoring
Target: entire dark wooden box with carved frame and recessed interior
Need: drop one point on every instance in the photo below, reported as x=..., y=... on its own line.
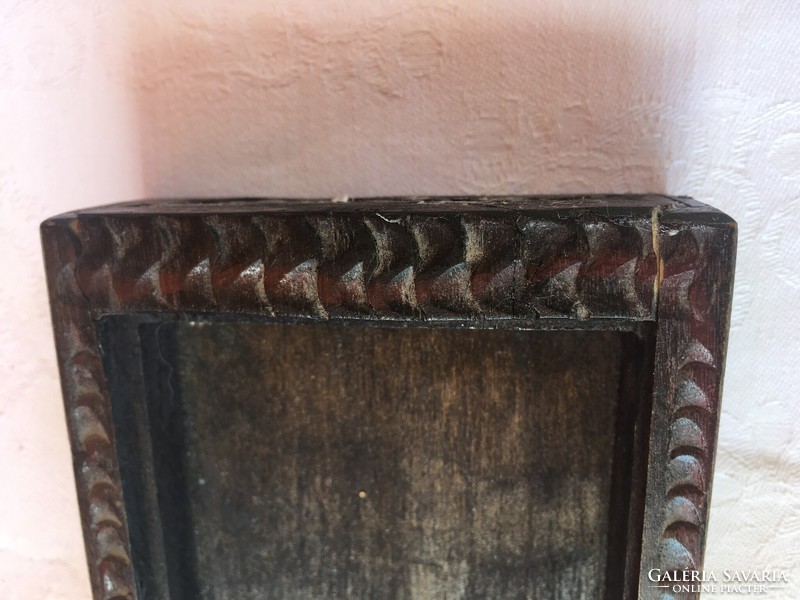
x=526, y=391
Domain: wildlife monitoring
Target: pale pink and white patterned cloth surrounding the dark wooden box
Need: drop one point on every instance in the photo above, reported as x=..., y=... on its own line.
x=103, y=101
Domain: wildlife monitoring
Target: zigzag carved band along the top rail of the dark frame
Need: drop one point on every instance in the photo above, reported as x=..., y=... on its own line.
x=406, y=267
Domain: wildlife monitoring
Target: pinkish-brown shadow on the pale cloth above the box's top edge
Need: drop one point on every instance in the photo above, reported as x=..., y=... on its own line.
x=427, y=100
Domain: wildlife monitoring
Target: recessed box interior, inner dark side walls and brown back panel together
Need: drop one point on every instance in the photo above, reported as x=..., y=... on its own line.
x=294, y=460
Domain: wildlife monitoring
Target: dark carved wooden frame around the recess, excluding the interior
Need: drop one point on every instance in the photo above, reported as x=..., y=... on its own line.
x=447, y=261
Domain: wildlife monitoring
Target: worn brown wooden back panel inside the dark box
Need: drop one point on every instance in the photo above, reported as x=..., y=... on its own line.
x=458, y=464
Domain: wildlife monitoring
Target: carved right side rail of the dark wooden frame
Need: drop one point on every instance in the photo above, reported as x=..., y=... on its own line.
x=694, y=307
